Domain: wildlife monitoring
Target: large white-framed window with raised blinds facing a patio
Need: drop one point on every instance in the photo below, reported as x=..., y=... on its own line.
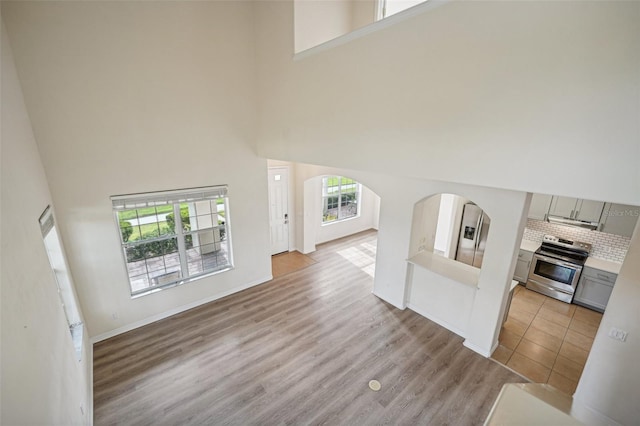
x=171, y=237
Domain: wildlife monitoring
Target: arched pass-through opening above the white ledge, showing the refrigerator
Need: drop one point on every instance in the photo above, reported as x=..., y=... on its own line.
x=449, y=236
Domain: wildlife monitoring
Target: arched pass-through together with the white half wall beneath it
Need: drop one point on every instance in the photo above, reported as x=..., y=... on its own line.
x=446, y=250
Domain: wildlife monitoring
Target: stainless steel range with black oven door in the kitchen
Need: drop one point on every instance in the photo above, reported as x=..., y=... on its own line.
x=556, y=267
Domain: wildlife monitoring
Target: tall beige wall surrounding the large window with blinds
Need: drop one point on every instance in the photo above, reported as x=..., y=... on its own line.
x=130, y=97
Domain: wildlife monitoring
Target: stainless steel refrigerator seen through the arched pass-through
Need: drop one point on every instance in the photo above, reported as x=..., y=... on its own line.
x=474, y=229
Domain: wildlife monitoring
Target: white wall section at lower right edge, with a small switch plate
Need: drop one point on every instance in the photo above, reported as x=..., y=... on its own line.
x=611, y=377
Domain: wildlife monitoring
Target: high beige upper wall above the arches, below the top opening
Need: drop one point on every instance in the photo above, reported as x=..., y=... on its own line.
x=472, y=92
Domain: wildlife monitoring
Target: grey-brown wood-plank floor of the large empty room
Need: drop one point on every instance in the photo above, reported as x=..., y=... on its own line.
x=299, y=349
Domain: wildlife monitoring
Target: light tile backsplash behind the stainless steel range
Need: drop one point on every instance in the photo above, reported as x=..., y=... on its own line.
x=605, y=246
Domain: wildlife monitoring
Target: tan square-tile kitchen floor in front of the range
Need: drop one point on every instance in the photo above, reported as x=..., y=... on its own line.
x=546, y=340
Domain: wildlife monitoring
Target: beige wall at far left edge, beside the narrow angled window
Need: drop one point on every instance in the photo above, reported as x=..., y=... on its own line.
x=42, y=380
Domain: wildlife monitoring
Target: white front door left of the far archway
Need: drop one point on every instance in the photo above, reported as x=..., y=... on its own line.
x=278, y=209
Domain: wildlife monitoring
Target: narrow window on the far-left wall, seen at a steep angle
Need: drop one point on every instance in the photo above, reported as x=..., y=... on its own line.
x=57, y=260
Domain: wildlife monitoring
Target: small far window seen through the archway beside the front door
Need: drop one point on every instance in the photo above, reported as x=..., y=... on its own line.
x=340, y=198
